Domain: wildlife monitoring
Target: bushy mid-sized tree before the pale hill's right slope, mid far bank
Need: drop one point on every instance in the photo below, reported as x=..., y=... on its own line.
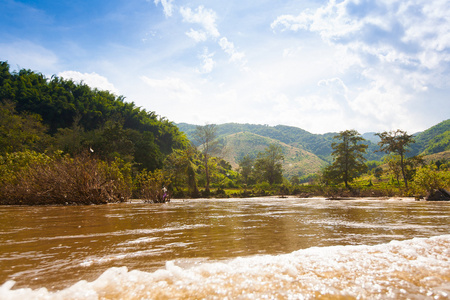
x=268, y=164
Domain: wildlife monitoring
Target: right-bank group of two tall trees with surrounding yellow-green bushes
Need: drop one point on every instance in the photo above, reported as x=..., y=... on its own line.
x=418, y=177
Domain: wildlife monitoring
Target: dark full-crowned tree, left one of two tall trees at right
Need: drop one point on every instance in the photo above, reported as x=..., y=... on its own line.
x=349, y=161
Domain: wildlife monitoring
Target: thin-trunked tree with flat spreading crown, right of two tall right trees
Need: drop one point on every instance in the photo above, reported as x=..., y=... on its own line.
x=396, y=142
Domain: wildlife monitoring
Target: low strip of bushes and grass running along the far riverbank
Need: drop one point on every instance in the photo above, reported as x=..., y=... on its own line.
x=31, y=178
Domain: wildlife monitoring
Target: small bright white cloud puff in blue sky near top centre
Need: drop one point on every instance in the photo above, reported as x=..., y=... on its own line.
x=202, y=16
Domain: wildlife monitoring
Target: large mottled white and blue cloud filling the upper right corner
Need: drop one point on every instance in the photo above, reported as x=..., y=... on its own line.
x=406, y=36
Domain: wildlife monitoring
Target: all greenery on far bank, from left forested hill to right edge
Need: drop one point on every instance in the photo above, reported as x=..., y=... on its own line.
x=64, y=143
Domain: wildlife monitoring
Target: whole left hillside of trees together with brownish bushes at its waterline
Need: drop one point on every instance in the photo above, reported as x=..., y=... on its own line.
x=62, y=142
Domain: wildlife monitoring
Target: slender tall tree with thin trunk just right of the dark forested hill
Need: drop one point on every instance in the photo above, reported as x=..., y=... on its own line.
x=206, y=137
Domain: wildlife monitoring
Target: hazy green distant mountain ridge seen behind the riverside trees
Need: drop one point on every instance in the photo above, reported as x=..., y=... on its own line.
x=306, y=153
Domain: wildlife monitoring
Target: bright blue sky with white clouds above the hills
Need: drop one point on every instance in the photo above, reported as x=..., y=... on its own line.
x=323, y=66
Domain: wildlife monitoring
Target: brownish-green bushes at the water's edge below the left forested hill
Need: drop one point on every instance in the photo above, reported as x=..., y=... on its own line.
x=35, y=179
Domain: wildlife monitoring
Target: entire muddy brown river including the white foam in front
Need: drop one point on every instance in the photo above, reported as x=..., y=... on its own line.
x=247, y=248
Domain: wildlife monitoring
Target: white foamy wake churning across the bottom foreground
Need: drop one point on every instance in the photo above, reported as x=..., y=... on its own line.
x=418, y=268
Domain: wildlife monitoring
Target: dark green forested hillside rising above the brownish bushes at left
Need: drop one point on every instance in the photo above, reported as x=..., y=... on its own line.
x=77, y=118
